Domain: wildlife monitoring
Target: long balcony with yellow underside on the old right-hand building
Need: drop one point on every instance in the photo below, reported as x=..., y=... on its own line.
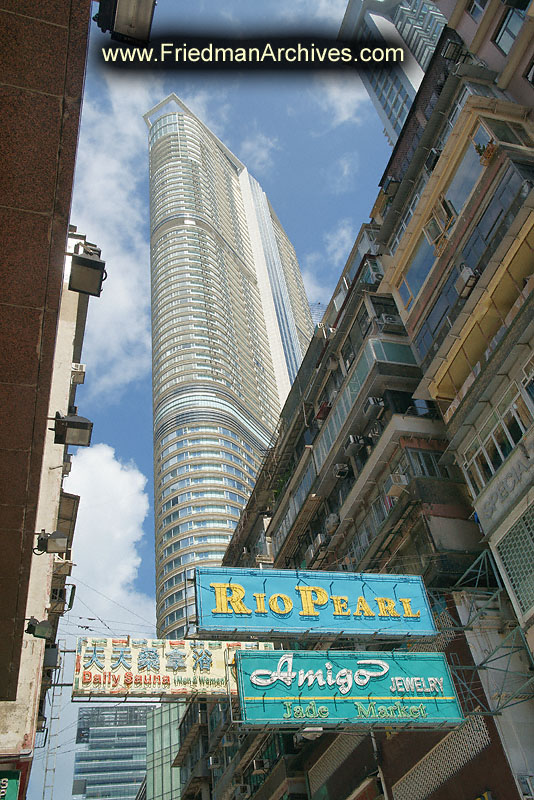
x=471, y=325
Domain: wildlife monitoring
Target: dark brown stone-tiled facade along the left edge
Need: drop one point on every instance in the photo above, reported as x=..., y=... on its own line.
x=34, y=218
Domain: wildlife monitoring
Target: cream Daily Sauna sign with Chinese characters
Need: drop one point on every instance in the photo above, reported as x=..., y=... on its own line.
x=138, y=667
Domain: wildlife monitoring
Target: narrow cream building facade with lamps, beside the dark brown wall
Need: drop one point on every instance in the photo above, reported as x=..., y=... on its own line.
x=23, y=721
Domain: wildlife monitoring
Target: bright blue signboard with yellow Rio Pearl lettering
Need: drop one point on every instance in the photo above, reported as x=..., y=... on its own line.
x=274, y=603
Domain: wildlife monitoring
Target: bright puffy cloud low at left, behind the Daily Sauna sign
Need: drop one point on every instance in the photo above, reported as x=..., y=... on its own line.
x=112, y=508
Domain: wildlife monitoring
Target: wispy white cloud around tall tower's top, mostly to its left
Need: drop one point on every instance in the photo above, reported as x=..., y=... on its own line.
x=111, y=207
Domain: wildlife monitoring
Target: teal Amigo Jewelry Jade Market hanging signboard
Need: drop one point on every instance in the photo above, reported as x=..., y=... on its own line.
x=332, y=687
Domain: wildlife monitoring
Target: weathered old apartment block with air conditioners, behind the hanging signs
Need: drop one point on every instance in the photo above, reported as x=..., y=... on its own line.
x=405, y=446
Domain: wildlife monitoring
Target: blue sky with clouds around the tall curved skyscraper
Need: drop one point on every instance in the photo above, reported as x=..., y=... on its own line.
x=315, y=144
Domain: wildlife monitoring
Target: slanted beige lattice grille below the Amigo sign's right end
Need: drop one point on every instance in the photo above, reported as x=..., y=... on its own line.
x=447, y=758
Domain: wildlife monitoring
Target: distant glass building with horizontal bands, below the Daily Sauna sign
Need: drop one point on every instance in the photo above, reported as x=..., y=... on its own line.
x=110, y=758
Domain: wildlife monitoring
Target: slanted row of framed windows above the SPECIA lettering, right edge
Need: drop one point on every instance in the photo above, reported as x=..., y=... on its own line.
x=496, y=440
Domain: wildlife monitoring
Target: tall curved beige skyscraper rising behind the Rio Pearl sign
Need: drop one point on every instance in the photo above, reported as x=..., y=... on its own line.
x=230, y=323
